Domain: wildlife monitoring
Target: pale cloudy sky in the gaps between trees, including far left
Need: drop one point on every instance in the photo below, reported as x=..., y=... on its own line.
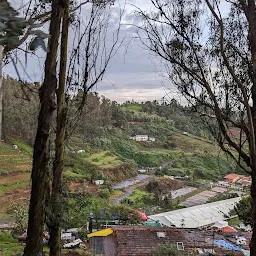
x=133, y=73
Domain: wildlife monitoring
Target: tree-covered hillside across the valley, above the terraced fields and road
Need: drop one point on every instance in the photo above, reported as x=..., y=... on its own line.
x=98, y=146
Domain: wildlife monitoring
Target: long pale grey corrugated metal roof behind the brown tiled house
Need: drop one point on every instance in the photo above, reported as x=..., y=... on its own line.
x=196, y=216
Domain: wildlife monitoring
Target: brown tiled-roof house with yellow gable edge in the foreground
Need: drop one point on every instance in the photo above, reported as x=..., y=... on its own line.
x=141, y=240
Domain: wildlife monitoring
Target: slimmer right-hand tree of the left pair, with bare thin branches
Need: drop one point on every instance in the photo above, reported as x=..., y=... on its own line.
x=87, y=64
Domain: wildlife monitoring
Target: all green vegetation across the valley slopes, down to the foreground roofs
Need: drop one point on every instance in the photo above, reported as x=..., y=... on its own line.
x=98, y=147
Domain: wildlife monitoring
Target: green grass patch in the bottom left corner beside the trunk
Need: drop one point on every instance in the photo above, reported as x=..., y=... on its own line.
x=8, y=245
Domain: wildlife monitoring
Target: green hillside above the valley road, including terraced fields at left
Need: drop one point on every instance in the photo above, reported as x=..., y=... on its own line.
x=99, y=147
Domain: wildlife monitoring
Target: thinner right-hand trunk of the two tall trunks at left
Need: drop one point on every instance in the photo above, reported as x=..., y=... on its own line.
x=56, y=196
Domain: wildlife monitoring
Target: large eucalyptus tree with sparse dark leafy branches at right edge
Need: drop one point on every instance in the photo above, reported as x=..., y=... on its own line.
x=209, y=50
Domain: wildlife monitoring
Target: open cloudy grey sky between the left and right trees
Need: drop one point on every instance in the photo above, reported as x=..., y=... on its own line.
x=134, y=73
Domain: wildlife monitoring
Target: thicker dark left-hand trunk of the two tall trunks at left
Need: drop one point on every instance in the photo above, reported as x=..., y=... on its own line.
x=41, y=155
